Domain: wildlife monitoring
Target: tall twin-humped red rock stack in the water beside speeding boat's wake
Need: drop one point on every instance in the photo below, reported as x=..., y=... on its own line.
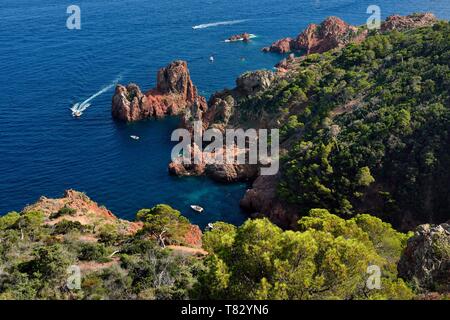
x=174, y=93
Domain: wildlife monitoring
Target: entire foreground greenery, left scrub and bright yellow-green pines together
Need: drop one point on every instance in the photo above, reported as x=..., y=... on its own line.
x=326, y=259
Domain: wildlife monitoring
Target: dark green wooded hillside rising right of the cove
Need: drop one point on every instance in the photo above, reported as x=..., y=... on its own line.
x=368, y=127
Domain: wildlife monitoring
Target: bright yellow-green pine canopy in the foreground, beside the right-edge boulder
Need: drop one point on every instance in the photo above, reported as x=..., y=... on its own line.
x=326, y=259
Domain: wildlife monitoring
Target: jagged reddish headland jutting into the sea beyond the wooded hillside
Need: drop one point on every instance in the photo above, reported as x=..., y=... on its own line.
x=331, y=33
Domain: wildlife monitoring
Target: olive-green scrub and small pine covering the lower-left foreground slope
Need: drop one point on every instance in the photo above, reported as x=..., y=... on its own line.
x=36, y=257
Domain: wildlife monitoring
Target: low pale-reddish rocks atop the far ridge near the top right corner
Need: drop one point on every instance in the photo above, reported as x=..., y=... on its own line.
x=400, y=23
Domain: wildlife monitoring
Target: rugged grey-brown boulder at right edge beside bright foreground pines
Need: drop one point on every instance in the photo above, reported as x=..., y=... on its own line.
x=426, y=259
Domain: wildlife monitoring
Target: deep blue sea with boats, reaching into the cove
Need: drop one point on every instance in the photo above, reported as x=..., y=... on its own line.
x=45, y=68
